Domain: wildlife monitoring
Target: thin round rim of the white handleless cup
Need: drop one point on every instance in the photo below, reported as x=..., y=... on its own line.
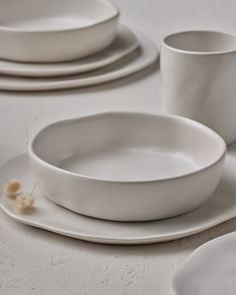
x=192, y=52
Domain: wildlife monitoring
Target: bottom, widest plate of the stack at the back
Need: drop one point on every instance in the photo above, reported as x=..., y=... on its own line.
x=146, y=55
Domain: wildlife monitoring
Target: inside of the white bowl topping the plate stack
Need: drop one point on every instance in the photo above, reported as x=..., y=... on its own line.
x=41, y=15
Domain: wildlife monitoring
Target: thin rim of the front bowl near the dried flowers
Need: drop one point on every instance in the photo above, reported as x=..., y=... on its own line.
x=32, y=154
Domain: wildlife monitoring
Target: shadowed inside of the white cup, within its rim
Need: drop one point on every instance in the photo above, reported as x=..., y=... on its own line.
x=202, y=41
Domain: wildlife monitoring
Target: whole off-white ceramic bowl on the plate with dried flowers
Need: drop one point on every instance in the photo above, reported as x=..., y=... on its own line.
x=128, y=166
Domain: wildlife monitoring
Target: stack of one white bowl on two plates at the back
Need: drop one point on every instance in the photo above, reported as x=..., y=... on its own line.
x=59, y=45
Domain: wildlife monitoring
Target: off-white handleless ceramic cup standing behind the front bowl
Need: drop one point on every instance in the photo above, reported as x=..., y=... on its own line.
x=198, y=71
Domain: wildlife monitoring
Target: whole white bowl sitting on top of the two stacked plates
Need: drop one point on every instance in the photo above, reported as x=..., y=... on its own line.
x=54, y=31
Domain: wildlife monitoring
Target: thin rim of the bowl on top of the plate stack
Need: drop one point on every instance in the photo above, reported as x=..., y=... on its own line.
x=114, y=15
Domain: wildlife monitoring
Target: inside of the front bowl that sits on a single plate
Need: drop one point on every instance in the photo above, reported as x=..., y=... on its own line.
x=129, y=147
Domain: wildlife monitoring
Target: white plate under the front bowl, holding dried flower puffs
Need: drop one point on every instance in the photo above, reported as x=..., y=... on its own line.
x=47, y=215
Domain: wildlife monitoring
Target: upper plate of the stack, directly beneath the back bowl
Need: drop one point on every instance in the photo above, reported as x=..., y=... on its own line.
x=125, y=43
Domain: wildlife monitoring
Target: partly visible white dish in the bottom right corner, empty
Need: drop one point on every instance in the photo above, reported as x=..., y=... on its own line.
x=211, y=269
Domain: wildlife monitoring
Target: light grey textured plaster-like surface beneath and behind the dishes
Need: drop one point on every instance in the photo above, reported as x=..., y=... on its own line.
x=37, y=262
